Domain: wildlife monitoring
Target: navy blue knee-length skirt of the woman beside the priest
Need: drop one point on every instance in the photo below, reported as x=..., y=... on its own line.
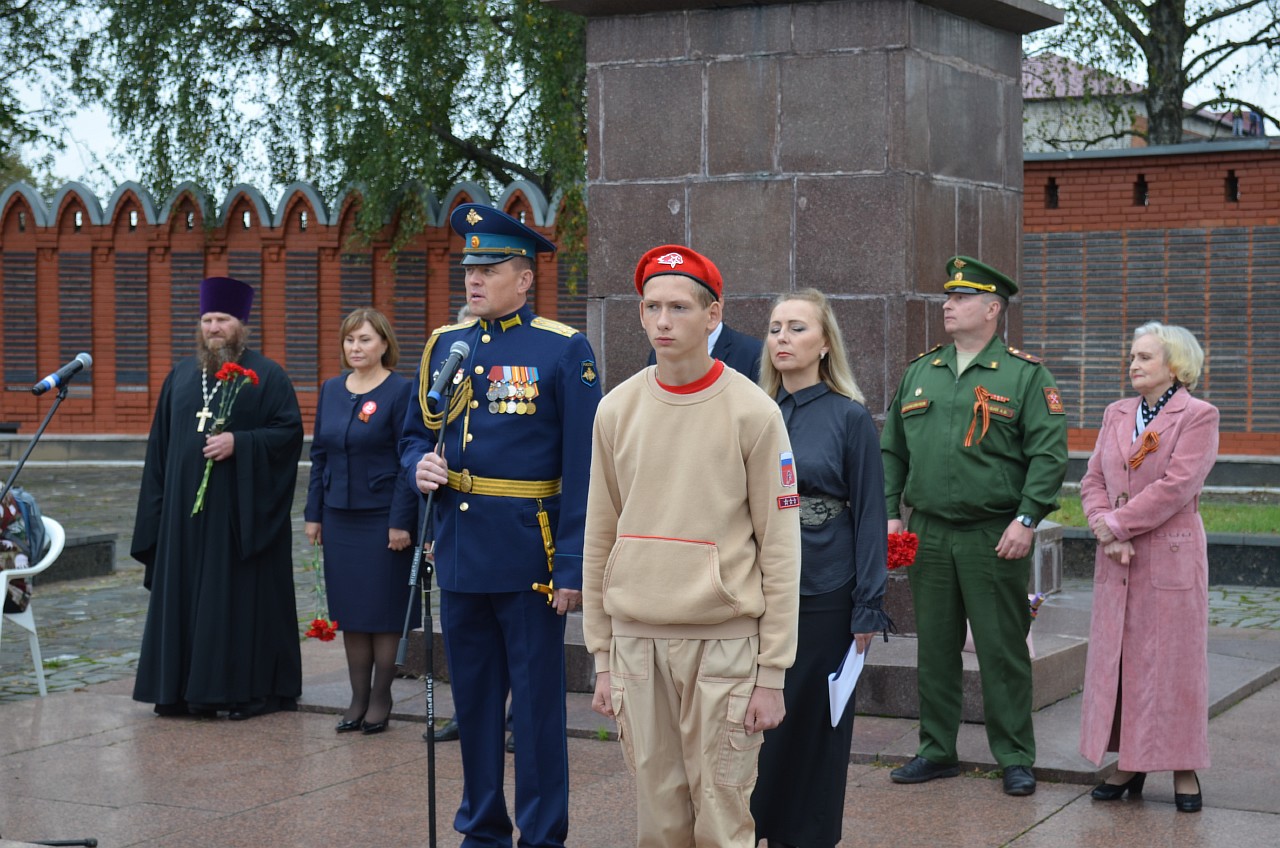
x=367, y=583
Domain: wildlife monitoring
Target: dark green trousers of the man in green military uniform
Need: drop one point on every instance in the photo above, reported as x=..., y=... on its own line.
x=958, y=575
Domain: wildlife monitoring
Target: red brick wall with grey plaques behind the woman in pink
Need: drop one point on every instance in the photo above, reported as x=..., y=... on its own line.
x=1185, y=235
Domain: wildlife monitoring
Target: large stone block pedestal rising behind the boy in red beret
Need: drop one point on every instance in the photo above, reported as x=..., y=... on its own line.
x=852, y=145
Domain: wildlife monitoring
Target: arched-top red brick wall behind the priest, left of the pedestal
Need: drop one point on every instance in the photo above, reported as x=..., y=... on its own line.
x=124, y=286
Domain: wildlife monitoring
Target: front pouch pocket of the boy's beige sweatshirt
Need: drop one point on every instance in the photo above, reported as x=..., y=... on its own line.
x=662, y=581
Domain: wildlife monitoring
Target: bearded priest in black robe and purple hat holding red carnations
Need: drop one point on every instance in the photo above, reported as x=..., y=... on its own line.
x=222, y=631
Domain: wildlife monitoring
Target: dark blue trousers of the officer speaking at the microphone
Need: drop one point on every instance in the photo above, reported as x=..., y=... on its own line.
x=495, y=642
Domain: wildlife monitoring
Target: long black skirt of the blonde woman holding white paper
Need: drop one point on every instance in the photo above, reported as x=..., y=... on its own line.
x=804, y=765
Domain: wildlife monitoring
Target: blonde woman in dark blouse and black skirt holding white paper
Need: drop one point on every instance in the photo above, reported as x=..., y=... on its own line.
x=799, y=799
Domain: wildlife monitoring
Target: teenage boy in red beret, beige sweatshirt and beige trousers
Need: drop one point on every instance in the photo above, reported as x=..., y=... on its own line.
x=692, y=562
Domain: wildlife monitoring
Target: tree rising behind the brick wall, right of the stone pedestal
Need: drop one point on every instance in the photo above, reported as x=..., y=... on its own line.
x=1173, y=47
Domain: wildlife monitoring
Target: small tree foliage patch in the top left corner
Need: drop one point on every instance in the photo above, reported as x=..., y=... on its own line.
x=36, y=57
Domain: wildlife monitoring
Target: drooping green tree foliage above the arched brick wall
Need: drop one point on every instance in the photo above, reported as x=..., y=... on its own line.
x=376, y=94
